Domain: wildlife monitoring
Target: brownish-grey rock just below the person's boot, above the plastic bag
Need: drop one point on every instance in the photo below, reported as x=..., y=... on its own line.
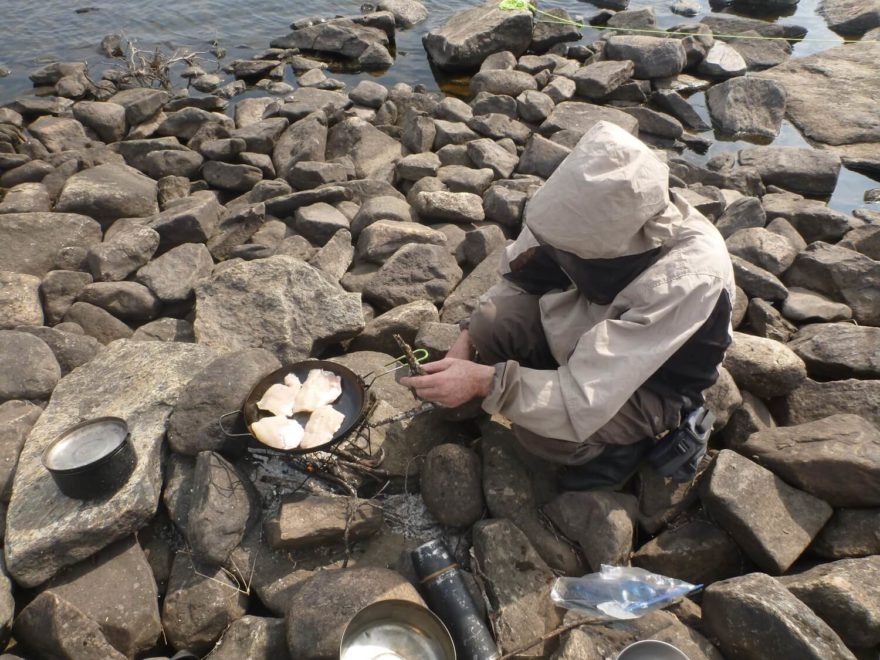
x=602, y=524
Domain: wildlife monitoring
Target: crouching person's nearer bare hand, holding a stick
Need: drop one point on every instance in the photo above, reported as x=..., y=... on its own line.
x=452, y=382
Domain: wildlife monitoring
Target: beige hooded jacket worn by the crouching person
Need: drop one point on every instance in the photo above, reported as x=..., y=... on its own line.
x=608, y=199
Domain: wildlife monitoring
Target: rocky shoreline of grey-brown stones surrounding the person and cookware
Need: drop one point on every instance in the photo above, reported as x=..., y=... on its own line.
x=160, y=253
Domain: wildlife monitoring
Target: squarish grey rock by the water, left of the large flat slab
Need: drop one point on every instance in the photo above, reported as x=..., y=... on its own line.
x=748, y=106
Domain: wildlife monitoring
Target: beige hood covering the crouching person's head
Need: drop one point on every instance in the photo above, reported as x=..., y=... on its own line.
x=609, y=198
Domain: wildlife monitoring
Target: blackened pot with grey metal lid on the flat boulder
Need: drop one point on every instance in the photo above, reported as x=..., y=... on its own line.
x=92, y=459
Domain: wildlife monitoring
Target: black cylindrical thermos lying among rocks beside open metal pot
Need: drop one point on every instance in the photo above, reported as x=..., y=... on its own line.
x=449, y=598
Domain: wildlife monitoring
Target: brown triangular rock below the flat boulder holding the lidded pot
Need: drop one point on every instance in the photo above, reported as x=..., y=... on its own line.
x=115, y=589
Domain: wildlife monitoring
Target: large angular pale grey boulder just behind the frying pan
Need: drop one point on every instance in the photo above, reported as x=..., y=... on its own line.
x=279, y=303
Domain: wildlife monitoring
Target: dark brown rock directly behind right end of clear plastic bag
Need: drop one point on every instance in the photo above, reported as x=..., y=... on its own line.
x=697, y=552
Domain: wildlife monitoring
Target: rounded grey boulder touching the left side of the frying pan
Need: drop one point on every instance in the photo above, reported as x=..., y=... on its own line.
x=220, y=387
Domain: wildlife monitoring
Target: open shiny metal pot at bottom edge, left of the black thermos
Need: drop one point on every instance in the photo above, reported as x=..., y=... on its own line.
x=396, y=630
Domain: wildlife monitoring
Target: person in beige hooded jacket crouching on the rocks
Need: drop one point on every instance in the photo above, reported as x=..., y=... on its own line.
x=610, y=320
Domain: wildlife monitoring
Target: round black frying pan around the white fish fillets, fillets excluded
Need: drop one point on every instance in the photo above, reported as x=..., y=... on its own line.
x=354, y=402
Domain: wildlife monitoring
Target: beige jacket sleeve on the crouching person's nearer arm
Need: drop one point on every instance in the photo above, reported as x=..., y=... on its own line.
x=610, y=361
